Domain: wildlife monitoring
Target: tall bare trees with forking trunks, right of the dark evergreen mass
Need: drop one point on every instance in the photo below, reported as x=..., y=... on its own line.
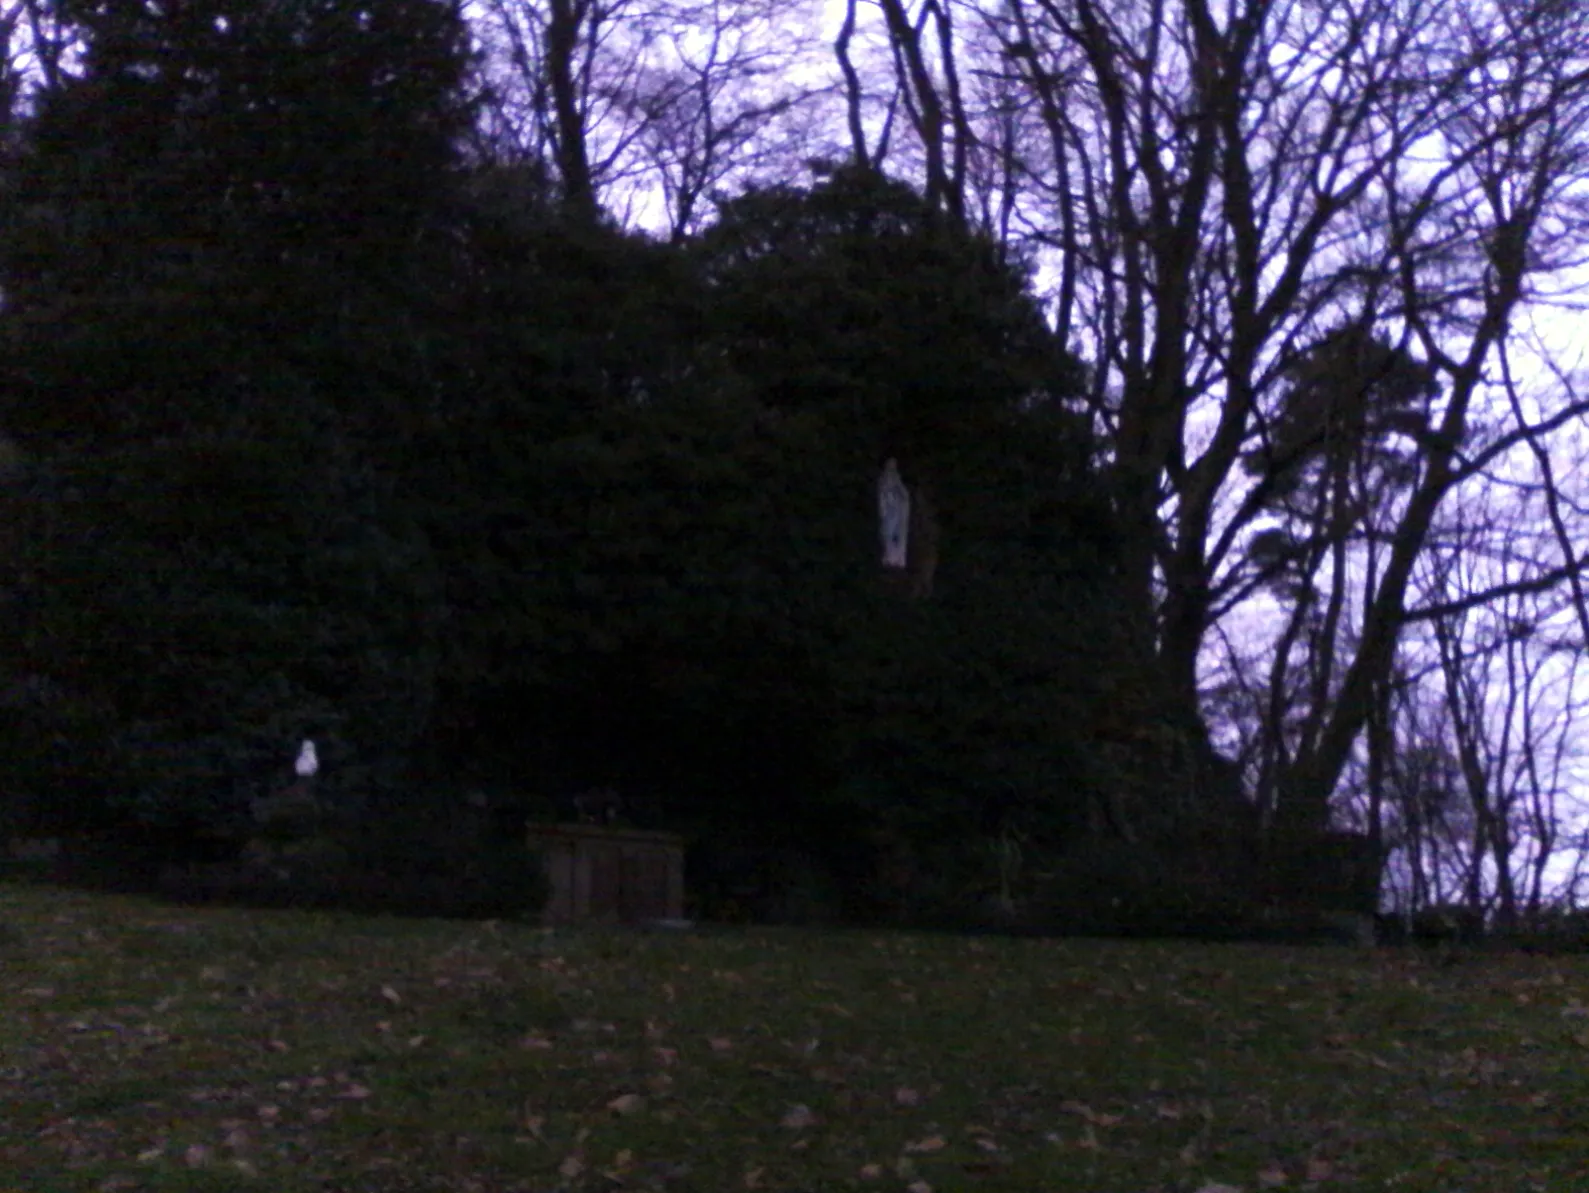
x=1239, y=185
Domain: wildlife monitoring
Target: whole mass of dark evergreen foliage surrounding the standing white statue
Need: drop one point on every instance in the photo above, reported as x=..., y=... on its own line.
x=328, y=433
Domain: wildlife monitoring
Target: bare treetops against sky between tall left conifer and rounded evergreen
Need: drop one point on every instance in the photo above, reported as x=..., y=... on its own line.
x=636, y=99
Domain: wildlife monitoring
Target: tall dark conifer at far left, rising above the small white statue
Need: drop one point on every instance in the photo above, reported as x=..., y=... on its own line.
x=211, y=250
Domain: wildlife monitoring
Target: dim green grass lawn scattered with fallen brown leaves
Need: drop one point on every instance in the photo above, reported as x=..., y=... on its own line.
x=147, y=1048
